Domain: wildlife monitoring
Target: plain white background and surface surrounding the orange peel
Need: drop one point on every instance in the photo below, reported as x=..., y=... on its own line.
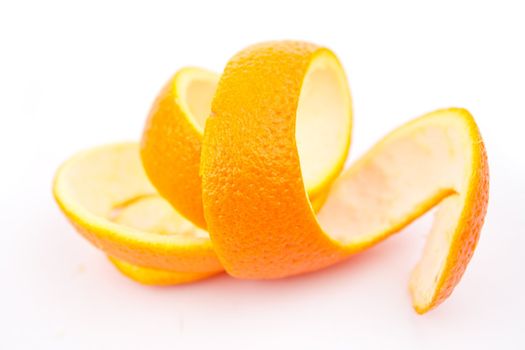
x=74, y=76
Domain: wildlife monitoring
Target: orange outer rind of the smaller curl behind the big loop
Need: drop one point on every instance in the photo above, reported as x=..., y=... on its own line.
x=171, y=149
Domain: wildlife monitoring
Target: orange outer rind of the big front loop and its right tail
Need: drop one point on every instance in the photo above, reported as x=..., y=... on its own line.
x=258, y=215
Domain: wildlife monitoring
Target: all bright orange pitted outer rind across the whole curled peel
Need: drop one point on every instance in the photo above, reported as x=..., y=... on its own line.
x=251, y=136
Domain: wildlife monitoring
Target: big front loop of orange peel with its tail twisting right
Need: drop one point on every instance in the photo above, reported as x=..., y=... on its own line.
x=259, y=217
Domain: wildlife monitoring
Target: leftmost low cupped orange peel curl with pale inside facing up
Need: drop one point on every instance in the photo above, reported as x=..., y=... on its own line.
x=107, y=197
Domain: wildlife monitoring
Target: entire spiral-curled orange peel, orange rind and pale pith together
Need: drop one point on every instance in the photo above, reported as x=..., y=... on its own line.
x=255, y=169
